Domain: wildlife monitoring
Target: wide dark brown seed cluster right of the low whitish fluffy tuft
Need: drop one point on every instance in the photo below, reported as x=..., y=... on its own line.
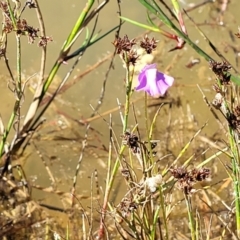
x=186, y=179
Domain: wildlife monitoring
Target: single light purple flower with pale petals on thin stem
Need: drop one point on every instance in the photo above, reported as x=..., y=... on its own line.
x=153, y=82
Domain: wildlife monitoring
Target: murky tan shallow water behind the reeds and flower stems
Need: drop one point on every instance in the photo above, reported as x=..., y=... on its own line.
x=60, y=139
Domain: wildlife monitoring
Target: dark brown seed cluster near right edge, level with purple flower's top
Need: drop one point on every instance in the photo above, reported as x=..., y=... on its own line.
x=221, y=69
